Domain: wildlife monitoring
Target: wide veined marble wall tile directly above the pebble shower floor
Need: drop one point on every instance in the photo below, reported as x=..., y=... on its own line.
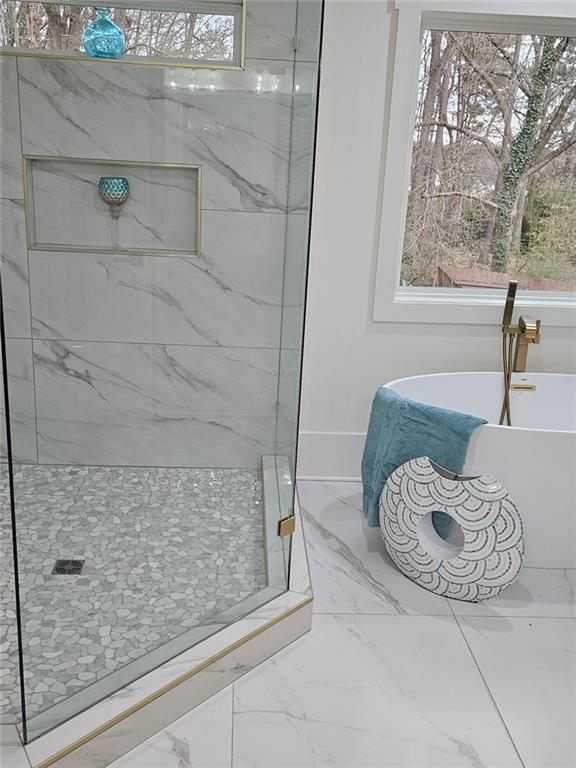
x=156, y=405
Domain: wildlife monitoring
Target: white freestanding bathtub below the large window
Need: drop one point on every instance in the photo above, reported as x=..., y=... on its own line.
x=535, y=458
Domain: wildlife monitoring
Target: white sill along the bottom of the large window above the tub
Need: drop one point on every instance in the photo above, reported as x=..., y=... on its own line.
x=456, y=305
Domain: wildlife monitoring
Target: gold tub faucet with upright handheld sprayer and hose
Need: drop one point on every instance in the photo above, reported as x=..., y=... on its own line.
x=515, y=341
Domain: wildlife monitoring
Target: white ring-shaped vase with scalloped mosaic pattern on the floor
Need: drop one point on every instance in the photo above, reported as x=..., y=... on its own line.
x=484, y=551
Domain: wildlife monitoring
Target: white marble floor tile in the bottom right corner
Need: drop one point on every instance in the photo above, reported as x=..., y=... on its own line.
x=530, y=667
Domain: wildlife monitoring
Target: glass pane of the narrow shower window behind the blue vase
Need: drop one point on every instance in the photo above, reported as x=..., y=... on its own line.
x=149, y=32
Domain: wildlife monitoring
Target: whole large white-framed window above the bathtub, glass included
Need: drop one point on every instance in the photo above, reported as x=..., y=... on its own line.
x=486, y=165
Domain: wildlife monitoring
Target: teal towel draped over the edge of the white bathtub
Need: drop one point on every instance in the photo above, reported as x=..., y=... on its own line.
x=401, y=429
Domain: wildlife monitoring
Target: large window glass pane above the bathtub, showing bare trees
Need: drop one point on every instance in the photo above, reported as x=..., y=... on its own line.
x=493, y=175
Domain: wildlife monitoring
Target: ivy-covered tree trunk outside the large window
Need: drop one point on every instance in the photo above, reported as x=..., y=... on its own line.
x=521, y=153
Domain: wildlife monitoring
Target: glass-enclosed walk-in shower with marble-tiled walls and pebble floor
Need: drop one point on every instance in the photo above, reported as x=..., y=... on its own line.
x=154, y=237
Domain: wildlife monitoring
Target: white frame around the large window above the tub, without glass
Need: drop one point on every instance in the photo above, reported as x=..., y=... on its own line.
x=449, y=305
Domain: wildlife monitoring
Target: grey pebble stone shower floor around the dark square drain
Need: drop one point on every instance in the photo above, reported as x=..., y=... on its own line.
x=165, y=549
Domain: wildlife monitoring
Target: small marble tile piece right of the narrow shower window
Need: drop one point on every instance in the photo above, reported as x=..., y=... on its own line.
x=270, y=29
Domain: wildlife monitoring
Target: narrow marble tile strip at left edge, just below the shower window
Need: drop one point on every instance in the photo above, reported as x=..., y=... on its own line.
x=10, y=148
